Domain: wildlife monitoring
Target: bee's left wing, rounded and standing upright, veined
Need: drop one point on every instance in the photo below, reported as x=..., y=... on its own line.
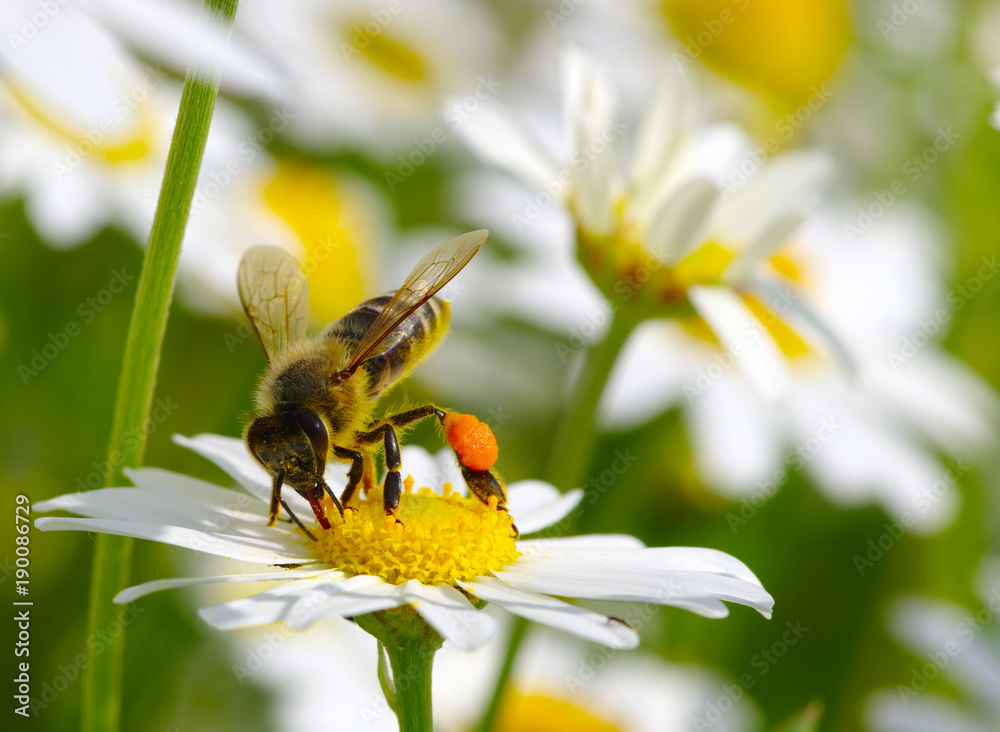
x=275, y=295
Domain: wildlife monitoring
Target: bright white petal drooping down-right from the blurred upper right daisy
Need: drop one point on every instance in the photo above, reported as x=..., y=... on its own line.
x=745, y=338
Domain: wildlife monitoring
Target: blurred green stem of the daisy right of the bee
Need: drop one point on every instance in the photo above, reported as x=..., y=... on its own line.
x=571, y=457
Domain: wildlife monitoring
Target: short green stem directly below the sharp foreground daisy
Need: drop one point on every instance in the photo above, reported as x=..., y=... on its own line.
x=410, y=645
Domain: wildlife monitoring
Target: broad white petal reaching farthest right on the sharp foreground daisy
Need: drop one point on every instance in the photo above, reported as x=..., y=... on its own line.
x=688, y=577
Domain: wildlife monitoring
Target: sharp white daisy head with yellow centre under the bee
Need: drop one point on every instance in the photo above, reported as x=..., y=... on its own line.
x=448, y=552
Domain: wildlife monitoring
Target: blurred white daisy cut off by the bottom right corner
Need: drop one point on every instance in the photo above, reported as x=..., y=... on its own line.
x=950, y=643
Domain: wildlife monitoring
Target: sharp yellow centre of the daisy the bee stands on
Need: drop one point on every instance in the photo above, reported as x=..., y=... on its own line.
x=439, y=537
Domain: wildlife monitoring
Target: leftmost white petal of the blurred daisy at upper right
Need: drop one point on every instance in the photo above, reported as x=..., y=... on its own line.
x=495, y=139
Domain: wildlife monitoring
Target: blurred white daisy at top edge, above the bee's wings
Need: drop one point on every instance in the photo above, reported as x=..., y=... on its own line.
x=373, y=74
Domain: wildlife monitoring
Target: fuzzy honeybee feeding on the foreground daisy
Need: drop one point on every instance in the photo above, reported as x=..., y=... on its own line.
x=317, y=399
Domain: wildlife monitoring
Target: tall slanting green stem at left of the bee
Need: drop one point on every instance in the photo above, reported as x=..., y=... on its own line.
x=101, y=705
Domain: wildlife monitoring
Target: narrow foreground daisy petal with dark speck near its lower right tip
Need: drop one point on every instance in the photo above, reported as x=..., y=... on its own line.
x=541, y=609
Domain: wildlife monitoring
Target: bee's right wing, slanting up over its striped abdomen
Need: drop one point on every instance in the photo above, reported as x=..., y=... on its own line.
x=431, y=274
